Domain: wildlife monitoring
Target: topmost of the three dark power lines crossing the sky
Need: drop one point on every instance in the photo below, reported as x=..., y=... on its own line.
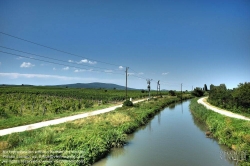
x=56, y=49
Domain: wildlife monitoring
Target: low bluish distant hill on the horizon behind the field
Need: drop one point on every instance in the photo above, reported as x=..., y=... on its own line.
x=95, y=85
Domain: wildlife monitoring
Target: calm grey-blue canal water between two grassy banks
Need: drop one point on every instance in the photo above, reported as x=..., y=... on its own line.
x=172, y=138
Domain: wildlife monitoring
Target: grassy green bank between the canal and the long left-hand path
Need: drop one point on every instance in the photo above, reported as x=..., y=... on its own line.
x=85, y=141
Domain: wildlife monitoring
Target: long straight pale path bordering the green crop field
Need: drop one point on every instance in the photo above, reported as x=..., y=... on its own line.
x=58, y=121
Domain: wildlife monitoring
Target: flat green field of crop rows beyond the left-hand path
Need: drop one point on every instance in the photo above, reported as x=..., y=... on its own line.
x=22, y=105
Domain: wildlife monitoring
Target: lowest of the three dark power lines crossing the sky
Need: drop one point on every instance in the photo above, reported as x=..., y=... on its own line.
x=58, y=63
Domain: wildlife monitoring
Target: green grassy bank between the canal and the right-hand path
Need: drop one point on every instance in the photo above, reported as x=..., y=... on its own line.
x=232, y=132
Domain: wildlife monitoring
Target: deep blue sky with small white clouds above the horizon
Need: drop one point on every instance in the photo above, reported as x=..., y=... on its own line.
x=195, y=42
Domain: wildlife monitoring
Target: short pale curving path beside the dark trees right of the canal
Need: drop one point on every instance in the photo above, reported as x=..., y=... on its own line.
x=204, y=102
